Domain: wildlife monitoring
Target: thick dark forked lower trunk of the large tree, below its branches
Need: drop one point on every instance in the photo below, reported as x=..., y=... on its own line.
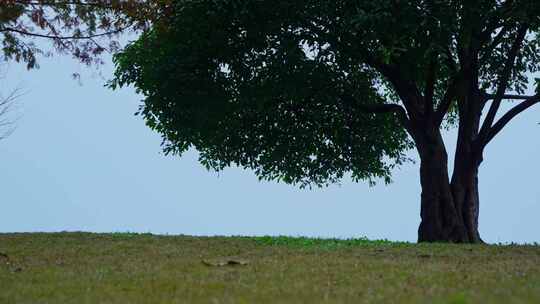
x=449, y=211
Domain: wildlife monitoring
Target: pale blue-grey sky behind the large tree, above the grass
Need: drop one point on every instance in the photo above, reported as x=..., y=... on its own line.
x=80, y=160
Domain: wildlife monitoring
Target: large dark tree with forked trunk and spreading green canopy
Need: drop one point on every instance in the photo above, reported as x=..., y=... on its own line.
x=307, y=91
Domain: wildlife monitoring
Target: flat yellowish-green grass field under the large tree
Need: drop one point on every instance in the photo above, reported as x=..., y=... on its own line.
x=144, y=268
